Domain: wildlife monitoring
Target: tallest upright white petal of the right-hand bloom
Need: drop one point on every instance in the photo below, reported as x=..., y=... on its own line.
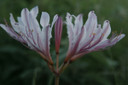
x=90, y=29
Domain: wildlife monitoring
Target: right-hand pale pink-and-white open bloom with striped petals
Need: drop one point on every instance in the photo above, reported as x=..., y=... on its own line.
x=89, y=37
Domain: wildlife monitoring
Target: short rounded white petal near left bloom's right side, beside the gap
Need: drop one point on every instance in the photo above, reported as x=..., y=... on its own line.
x=44, y=21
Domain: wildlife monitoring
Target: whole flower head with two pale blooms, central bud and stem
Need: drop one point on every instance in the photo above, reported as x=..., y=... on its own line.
x=83, y=39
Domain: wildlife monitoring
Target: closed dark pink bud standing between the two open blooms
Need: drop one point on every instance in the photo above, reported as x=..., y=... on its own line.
x=58, y=33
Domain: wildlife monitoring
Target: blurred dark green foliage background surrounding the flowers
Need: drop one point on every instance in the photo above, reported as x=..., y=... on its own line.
x=21, y=66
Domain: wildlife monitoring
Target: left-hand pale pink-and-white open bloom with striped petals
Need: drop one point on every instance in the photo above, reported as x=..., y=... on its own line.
x=28, y=31
